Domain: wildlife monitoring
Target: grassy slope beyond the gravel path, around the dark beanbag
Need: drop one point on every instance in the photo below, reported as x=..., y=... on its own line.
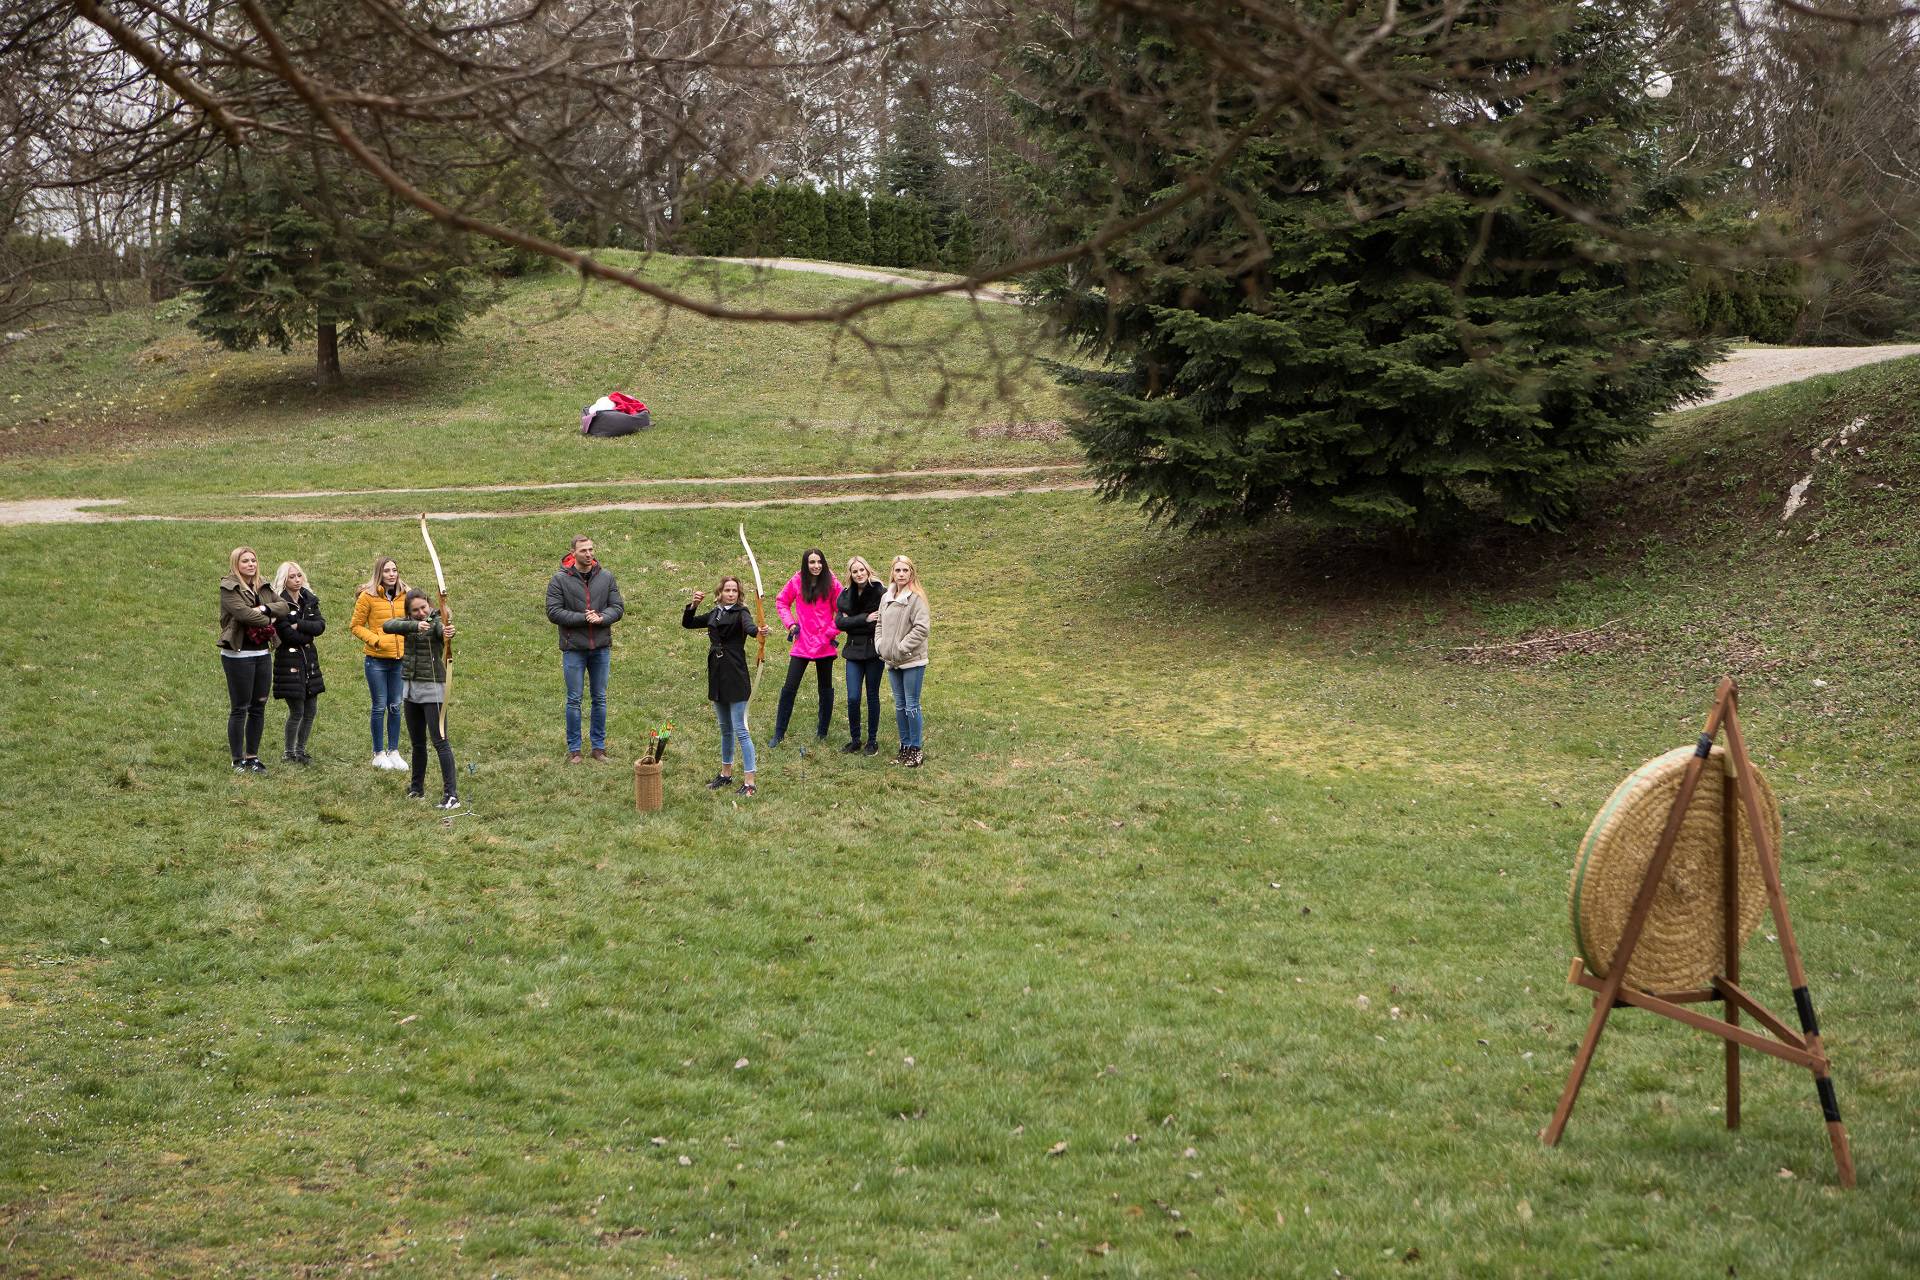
x=132, y=406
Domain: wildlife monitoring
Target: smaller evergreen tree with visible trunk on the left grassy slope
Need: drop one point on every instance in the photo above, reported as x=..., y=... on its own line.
x=289, y=247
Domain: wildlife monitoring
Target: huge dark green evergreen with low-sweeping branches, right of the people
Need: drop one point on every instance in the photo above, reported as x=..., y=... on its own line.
x=1466, y=346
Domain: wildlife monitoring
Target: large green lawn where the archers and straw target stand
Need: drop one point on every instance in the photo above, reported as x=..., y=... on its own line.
x=1082, y=997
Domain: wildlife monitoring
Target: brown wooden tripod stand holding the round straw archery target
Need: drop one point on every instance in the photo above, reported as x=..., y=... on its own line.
x=1802, y=1049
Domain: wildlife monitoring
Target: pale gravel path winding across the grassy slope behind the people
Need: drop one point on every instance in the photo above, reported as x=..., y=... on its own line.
x=1737, y=375
